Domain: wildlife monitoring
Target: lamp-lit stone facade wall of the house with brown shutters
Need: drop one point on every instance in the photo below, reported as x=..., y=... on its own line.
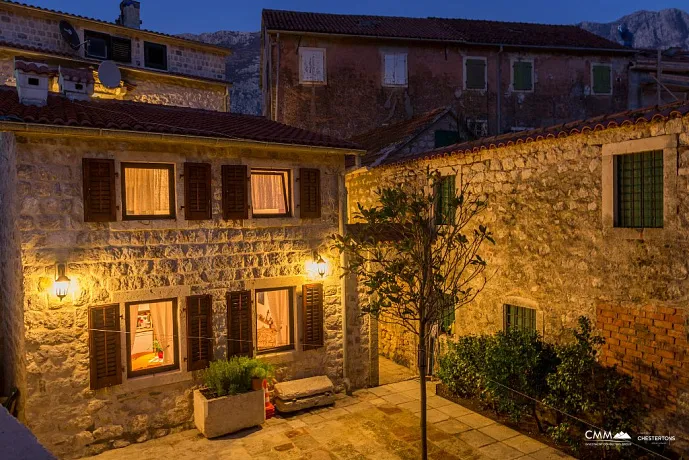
x=145, y=260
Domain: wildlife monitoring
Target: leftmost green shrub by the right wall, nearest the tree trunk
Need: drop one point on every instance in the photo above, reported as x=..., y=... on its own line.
x=460, y=368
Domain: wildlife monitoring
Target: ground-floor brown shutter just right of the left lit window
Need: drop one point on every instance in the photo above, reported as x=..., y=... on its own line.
x=199, y=331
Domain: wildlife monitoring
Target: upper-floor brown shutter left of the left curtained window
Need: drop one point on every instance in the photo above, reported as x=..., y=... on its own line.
x=99, y=190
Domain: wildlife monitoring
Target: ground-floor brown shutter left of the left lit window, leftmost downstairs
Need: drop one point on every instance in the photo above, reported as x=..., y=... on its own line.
x=104, y=346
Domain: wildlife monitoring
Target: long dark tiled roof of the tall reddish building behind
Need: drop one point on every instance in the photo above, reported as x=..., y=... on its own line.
x=440, y=29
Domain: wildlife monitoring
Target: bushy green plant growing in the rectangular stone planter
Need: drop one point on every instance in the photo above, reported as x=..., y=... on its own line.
x=233, y=376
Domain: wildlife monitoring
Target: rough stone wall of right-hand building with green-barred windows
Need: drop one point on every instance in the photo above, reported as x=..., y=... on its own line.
x=556, y=251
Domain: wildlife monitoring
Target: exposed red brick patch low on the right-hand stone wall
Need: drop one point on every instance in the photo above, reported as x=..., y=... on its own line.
x=649, y=342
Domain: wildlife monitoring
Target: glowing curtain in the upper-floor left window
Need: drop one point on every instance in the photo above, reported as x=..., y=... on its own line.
x=147, y=191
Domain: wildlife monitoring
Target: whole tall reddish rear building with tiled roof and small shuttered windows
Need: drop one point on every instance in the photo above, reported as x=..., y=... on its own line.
x=344, y=74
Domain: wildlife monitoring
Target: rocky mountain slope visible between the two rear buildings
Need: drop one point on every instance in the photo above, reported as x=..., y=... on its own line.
x=242, y=67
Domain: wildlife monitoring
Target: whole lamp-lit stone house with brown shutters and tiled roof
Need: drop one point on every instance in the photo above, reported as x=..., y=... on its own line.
x=184, y=235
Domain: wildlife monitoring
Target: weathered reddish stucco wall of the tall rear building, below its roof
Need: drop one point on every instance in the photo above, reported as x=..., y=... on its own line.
x=436, y=78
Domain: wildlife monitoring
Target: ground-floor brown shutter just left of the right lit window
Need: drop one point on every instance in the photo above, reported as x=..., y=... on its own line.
x=239, y=324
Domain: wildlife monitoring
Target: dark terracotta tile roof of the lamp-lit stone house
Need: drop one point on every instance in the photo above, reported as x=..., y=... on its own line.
x=153, y=118
